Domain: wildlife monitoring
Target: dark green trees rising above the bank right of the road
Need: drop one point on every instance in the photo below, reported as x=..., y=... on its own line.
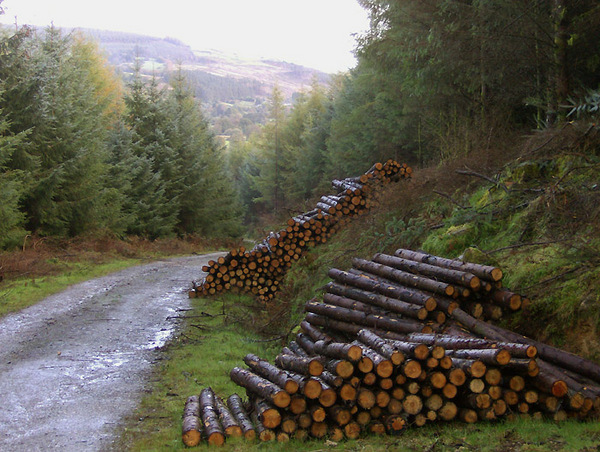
x=434, y=79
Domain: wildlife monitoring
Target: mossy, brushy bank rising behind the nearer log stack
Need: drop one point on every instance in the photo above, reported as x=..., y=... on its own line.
x=528, y=205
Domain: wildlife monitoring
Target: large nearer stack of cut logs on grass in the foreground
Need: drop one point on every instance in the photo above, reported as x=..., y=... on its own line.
x=400, y=341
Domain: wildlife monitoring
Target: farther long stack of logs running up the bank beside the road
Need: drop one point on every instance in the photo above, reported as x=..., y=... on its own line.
x=260, y=269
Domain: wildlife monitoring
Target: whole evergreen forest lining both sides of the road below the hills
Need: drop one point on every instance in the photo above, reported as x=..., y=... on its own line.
x=85, y=151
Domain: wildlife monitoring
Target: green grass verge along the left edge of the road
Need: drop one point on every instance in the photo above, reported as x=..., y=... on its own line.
x=23, y=292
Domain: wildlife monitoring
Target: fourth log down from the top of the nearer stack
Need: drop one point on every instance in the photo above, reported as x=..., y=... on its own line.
x=389, y=290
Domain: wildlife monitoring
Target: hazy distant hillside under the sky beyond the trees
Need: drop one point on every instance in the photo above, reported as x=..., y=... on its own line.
x=232, y=89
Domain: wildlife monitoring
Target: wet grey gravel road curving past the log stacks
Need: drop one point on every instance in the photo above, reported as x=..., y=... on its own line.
x=72, y=366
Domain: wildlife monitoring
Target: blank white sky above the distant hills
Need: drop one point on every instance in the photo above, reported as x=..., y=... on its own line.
x=314, y=33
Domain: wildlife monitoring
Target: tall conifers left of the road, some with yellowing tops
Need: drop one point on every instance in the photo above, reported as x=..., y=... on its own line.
x=80, y=152
